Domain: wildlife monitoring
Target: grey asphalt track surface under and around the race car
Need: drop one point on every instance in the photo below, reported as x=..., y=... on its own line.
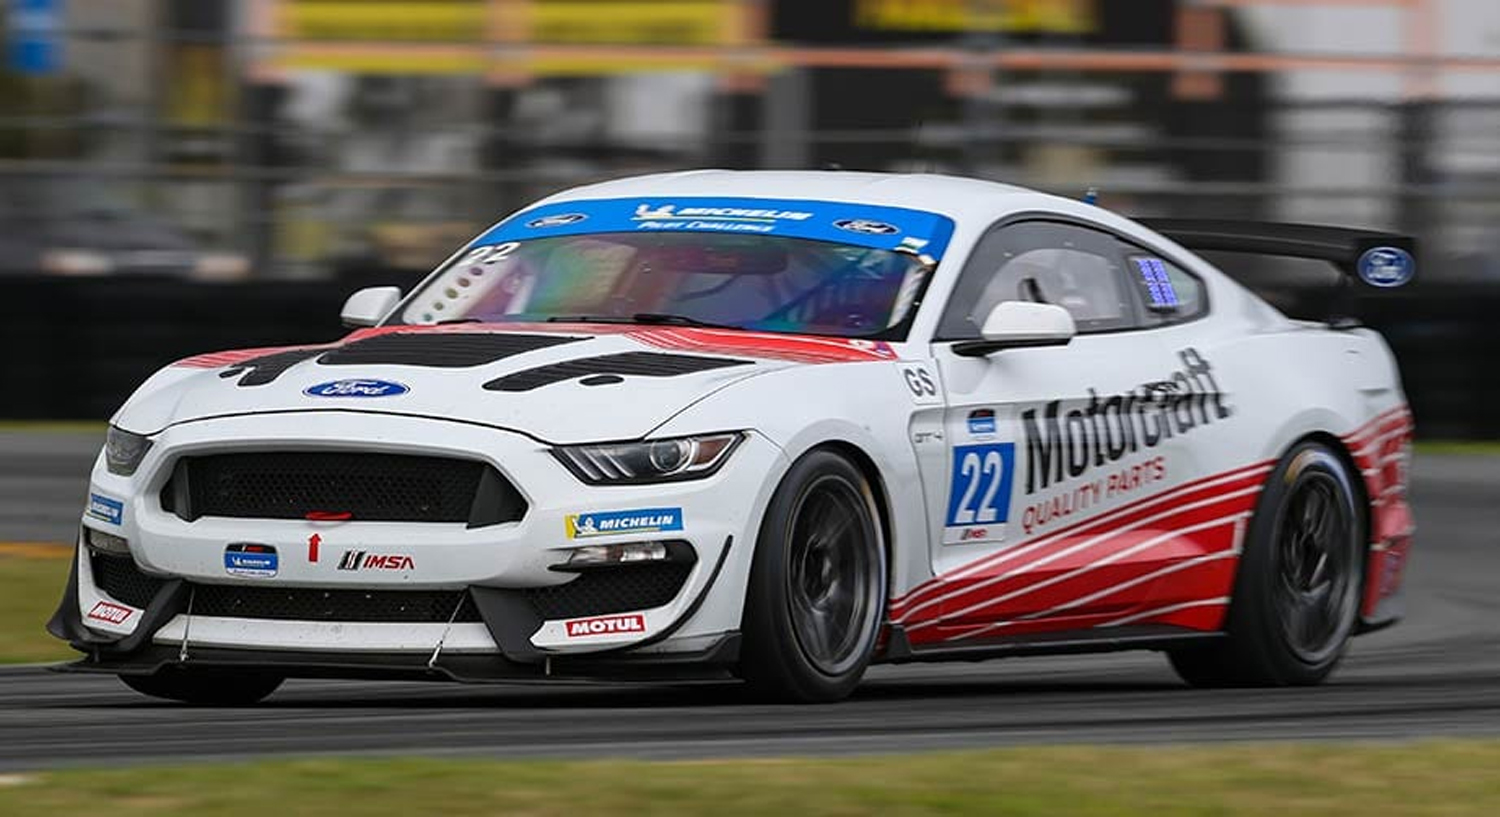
x=1435, y=675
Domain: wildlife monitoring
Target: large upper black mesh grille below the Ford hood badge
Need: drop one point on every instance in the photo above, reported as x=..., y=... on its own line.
x=359, y=486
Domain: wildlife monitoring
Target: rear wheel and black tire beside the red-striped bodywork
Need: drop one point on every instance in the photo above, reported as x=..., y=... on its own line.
x=1300, y=581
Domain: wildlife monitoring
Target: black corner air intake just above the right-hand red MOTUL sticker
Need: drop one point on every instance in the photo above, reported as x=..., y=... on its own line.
x=611, y=591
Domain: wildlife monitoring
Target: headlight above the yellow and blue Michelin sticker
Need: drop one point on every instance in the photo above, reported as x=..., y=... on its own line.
x=652, y=461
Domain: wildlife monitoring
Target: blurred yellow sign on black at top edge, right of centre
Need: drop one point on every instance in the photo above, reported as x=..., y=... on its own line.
x=1054, y=17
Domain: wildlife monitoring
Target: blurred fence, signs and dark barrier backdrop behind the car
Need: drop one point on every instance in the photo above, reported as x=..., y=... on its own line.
x=182, y=176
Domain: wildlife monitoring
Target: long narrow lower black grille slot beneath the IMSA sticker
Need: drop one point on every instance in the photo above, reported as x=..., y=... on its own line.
x=332, y=605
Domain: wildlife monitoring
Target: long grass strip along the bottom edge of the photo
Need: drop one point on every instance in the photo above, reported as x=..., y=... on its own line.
x=1442, y=777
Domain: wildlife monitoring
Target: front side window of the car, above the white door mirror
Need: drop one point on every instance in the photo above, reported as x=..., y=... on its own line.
x=1075, y=268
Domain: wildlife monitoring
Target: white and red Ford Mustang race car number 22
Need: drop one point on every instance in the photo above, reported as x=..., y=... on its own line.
x=773, y=426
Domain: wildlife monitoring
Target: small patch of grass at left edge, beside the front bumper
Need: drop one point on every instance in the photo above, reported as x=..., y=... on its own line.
x=31, y=587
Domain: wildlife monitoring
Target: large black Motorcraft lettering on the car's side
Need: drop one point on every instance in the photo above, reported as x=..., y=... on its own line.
x=1069, y=444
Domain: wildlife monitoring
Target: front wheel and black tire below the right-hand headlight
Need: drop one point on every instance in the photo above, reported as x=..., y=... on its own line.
x=818, y=585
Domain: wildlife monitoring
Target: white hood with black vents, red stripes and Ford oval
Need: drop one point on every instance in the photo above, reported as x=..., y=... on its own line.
x=557, y=383
